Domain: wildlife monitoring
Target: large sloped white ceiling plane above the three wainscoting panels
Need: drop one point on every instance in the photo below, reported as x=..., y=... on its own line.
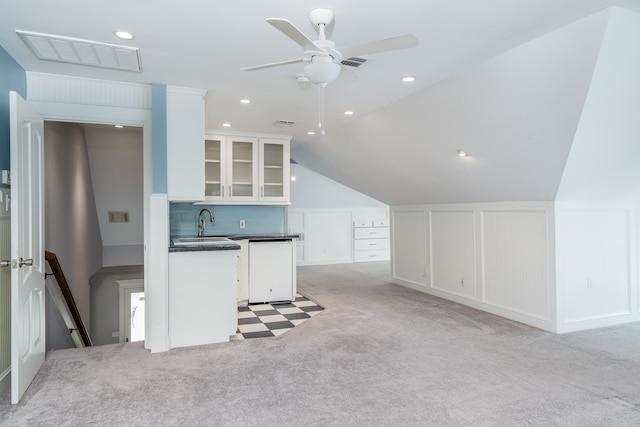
x=516, y=114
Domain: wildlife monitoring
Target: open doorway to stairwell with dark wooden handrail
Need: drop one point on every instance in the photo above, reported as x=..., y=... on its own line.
x=100, y=167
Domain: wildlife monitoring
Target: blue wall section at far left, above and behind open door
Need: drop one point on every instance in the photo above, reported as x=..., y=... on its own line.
x=12, y=77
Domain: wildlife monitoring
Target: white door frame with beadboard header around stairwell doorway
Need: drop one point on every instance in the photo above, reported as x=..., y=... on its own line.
x=80, y=100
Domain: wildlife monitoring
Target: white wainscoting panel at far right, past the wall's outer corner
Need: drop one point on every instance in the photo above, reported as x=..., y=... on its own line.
x=595, y=263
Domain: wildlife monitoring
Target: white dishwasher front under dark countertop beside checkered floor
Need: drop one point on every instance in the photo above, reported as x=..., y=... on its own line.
x=270, y=271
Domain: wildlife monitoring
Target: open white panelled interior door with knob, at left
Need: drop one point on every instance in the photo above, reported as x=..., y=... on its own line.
x=27, y=245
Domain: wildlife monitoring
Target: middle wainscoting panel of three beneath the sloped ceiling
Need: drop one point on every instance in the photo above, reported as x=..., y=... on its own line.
x=453, y=263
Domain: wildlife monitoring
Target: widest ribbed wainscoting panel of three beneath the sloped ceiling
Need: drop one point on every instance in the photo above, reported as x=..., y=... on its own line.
x=515, y=261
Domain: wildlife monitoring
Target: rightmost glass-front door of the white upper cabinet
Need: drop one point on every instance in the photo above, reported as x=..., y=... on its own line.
x=274, y=170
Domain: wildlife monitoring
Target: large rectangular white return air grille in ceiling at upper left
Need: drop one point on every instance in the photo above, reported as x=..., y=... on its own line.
x=83, y=52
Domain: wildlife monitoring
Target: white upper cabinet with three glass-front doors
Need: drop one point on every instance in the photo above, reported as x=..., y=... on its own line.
x=246, y=170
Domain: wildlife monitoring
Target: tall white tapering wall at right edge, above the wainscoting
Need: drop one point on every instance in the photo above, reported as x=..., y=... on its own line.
x=604, y=160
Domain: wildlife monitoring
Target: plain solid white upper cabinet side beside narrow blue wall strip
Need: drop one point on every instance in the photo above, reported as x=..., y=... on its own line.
x=185, y=132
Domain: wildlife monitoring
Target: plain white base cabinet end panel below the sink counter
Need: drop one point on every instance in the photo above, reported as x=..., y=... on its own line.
x=202, y=297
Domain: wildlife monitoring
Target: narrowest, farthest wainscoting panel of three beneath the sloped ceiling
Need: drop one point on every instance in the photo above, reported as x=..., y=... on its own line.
x=409, y=246
